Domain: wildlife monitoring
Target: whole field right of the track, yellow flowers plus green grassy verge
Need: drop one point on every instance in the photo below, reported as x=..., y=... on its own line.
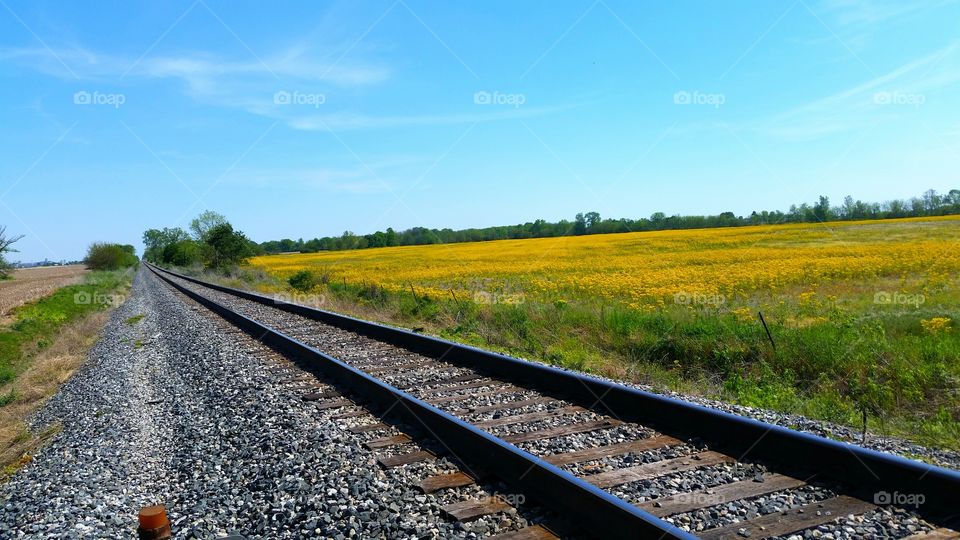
x=862, y=315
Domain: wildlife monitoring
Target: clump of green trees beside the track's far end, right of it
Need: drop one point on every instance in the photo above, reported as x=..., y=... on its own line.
x=212, y=241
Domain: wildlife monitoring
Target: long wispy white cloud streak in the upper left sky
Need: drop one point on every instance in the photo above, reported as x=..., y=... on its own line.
x=252, y=85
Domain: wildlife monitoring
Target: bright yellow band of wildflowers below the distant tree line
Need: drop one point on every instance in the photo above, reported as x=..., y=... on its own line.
x=650, y=269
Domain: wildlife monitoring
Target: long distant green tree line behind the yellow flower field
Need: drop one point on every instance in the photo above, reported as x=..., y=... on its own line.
x=929, y=204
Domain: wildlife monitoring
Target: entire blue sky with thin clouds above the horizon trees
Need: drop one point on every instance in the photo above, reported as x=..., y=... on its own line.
x=303, y=119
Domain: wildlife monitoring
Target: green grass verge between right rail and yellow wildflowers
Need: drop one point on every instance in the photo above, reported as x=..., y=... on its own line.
x=833, y=360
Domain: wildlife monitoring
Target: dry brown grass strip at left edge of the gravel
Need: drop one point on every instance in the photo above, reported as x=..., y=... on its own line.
x=48, y=369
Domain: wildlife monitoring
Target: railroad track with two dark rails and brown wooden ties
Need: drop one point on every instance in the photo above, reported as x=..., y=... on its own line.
x=584, y=448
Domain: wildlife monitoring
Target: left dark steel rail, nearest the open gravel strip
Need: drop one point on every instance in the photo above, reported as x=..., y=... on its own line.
x=597, y=511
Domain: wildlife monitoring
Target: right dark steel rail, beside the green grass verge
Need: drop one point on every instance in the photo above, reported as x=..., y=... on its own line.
x=866, y=473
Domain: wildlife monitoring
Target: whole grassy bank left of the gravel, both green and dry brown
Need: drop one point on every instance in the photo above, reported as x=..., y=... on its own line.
x=40, y=348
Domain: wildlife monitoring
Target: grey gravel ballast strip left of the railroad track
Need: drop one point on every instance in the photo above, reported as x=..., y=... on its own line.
x=173, y=409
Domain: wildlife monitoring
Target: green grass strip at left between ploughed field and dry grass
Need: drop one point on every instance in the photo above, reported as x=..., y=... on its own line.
x=36, y=324
